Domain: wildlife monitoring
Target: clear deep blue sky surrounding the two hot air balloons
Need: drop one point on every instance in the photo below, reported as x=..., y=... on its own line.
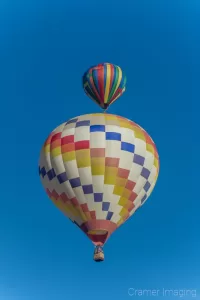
x=44, y=50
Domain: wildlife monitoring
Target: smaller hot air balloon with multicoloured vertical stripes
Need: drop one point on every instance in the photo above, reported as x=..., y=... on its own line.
x=104, y=84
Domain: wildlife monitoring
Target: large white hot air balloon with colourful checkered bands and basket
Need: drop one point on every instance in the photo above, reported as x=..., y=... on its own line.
x=98, y=169
